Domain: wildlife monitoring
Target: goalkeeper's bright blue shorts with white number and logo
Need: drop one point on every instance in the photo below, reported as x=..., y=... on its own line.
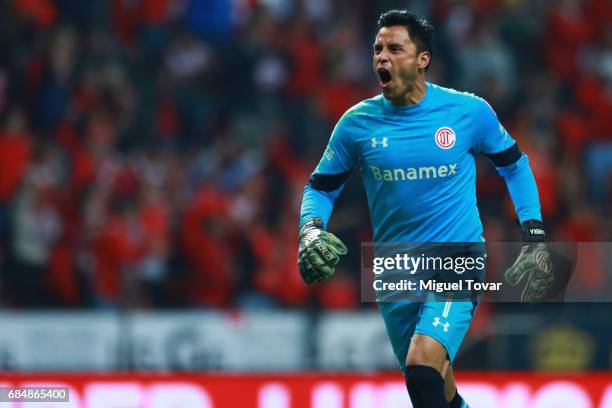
x=446, y=322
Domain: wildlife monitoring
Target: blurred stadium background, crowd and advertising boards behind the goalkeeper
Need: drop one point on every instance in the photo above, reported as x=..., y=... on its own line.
x=152, y=159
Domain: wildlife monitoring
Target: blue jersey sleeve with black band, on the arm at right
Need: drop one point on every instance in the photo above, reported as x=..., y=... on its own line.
x=511, y=163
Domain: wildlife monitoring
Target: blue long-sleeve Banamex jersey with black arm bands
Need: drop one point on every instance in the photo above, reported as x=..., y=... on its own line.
x=418, y=166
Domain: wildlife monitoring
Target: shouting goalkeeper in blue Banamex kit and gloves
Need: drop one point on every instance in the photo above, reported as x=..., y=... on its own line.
x=415, y=145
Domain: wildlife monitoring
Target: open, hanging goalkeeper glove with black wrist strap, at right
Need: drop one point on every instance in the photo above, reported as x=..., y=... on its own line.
x=534, y=261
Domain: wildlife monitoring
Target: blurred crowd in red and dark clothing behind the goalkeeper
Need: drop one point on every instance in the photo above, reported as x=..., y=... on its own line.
x=153, y=152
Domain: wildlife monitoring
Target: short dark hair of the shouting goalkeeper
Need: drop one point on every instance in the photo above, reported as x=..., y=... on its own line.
x=419, y=28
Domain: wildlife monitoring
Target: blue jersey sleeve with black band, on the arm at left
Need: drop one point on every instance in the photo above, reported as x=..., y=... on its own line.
x=330, y=175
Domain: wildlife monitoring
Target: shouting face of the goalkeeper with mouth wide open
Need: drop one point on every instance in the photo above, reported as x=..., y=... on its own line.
x=397, y=63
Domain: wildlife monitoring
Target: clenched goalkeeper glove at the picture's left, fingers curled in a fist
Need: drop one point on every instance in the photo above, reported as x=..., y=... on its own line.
x=319, y=252
